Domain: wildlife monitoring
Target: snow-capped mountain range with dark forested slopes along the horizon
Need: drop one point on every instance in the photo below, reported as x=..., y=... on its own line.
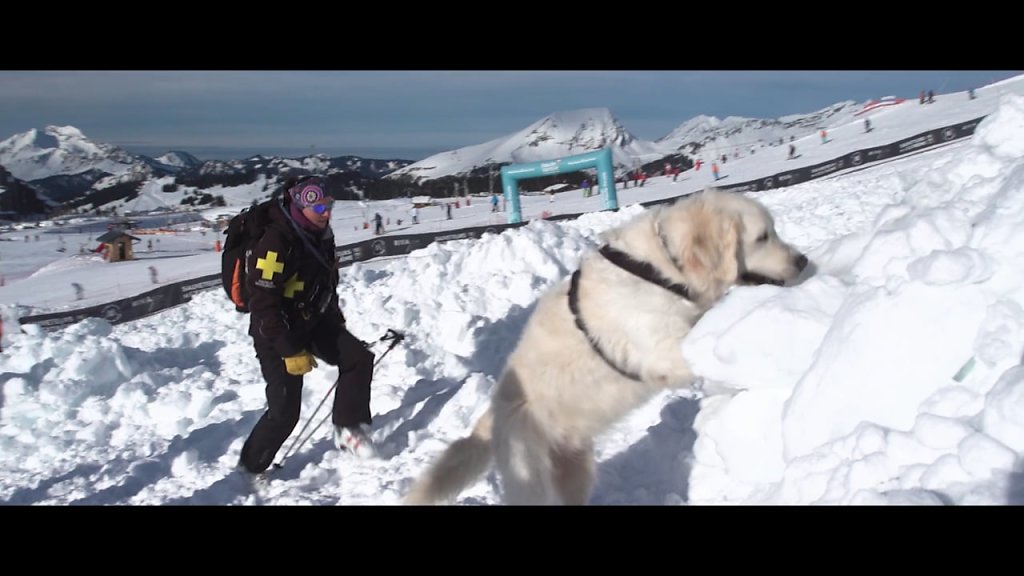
x=59, y=170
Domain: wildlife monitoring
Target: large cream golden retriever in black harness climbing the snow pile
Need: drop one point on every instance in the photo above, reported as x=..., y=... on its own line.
x=604, y=342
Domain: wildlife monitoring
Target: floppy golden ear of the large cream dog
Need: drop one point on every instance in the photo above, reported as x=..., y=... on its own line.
x=712, y=253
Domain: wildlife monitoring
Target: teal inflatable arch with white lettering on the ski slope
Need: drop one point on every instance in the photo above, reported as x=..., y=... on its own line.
x=601, y=159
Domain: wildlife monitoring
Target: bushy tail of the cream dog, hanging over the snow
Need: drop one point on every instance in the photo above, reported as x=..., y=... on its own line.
x=465, y=461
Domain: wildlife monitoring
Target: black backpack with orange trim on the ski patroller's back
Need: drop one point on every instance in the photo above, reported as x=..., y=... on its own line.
x=243, y=232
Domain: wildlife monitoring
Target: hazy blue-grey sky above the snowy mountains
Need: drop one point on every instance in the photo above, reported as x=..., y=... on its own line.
x=413, y=114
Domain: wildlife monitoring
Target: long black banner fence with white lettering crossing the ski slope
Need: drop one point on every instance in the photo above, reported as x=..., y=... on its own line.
x=135, y=308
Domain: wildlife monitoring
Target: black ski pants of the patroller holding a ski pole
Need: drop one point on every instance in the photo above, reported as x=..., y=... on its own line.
x=284, y=392
